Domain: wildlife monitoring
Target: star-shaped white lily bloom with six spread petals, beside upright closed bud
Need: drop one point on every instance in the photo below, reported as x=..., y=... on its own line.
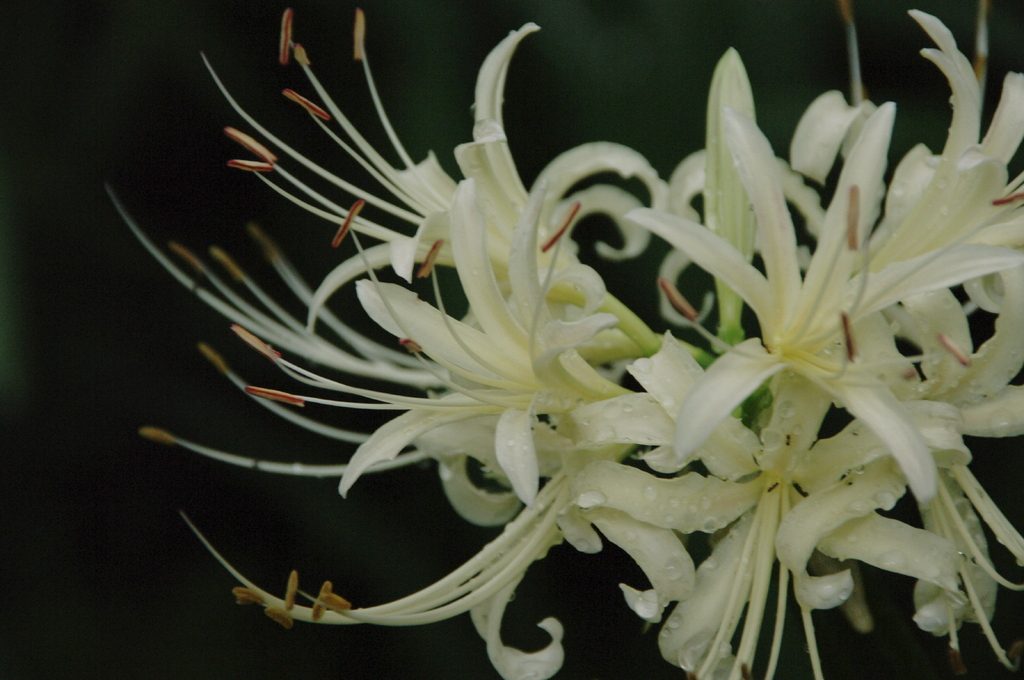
x=809, y=325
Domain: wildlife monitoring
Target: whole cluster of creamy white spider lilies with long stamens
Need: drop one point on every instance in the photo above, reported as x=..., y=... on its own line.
x=522, y=401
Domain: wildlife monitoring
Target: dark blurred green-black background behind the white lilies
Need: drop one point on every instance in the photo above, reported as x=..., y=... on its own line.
x=101, y=578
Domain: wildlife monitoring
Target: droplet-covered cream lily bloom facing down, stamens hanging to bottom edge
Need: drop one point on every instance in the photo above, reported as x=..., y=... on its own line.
x=772, y=501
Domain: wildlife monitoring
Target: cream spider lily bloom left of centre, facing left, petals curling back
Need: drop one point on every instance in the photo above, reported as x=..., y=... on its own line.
x=522, y=361
